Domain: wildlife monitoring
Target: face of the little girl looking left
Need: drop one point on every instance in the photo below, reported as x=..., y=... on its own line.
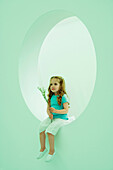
x=54, y=85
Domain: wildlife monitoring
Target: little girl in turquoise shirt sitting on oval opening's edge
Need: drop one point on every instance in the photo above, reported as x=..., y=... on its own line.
x=57, y=109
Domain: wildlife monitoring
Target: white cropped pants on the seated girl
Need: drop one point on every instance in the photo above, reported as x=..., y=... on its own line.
x=51, y=127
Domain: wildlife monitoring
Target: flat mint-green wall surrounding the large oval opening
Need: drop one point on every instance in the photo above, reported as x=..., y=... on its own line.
x=87, y=143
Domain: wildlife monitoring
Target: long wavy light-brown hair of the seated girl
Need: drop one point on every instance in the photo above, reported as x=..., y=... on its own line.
x=61, y=91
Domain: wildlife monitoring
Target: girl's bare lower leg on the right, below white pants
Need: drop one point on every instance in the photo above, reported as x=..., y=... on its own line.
x=51, y=143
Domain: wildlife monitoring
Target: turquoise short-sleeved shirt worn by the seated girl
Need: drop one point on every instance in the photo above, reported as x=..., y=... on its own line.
x=54, y=104
